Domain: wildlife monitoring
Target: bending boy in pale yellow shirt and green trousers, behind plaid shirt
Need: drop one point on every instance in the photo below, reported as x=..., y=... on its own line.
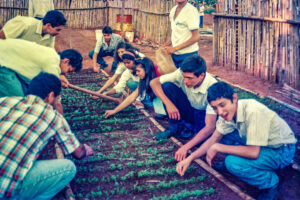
x=21, y=60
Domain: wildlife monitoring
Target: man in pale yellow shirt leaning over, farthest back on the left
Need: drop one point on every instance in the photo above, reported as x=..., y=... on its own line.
x=31, y=29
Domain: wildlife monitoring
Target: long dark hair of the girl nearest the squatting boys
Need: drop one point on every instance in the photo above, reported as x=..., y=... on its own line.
x=144, y=84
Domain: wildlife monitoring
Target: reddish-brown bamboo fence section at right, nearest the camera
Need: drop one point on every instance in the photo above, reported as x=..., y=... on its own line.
x=260, y=38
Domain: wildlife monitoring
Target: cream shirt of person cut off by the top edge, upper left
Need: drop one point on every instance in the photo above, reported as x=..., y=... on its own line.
x=39, y=8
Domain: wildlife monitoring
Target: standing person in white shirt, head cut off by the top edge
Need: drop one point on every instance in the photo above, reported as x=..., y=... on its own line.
x=184, y=20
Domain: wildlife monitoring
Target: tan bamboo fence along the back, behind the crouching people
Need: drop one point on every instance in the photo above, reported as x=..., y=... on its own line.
x=149, y=17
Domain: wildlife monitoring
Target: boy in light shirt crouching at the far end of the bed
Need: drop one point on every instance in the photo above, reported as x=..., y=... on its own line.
x=105, y=46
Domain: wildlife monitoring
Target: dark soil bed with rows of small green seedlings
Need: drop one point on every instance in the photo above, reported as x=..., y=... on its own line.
x=128, y=163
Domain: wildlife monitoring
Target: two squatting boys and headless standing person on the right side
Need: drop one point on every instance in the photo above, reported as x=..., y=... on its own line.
x=257, y=142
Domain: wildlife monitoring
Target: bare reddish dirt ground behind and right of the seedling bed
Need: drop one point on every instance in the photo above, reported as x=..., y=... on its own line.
x=84, y=41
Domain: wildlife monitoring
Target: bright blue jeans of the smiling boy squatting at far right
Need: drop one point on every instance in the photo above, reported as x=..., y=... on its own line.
x=260, y=172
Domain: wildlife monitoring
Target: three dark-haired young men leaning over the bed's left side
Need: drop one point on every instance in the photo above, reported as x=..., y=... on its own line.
x=32, y=74
